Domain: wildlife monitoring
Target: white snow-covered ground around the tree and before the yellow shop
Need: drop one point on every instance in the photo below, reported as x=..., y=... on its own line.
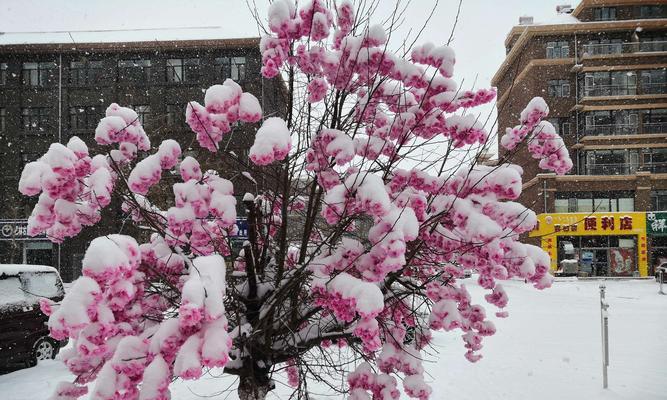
x=549, y=348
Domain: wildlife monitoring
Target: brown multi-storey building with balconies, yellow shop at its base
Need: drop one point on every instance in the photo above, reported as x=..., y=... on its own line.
x=601, y=67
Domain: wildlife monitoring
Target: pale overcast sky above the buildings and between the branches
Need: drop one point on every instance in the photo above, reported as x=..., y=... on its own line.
x=478, y=38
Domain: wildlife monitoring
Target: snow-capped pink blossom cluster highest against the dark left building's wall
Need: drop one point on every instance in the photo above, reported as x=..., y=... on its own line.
x=224, y=105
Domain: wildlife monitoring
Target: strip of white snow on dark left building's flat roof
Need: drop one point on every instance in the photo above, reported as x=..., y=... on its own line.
x=116, y=36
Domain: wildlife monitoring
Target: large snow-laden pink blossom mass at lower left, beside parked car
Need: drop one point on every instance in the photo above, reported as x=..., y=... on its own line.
x=123, y=351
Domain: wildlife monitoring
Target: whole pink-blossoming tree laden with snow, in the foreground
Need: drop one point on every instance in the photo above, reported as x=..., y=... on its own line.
x=368, y=135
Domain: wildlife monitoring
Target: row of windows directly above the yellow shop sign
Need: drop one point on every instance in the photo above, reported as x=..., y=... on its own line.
x=622, y=201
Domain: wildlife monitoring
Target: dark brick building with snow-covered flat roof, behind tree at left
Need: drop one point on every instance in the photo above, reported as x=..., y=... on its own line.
x=57, y=85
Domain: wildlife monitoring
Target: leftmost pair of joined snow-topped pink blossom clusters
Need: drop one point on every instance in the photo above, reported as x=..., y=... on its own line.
x=75, y=188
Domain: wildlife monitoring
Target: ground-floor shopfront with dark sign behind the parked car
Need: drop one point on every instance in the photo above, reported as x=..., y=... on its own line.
x=19, y=248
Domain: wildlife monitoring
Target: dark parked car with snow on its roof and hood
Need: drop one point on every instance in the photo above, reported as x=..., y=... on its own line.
x=24, y=335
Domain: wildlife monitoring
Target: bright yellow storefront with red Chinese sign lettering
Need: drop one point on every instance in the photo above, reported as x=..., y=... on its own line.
x=595, y=244
